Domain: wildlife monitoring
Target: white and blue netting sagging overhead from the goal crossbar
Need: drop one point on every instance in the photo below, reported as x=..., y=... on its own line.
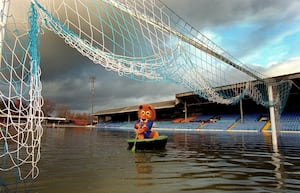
x=144, y=40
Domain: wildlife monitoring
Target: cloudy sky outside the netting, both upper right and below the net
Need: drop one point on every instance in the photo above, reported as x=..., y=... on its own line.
x=264, y=34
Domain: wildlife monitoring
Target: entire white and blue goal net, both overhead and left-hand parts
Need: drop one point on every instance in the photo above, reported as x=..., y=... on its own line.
x=139, y=39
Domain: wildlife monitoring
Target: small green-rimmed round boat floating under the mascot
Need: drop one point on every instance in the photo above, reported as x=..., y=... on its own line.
x=148, y=144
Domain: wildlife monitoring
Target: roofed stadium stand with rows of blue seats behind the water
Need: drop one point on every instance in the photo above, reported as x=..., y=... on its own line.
x=204, y=115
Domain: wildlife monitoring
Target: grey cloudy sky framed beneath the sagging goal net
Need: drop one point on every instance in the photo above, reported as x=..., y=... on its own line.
x=66, y=80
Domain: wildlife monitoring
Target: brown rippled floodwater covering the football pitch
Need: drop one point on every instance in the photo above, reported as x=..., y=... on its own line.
x=97, y=161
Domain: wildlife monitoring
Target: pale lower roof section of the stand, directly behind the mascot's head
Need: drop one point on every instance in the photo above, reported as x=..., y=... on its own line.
x=158, y=105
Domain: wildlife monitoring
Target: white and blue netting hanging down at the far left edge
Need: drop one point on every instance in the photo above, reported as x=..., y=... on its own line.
x=20, y=99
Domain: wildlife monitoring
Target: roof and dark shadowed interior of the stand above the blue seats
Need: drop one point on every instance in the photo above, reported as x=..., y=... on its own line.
x=188, y=104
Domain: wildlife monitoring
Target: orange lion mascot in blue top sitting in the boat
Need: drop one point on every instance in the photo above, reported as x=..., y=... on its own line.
x=146, y=115
